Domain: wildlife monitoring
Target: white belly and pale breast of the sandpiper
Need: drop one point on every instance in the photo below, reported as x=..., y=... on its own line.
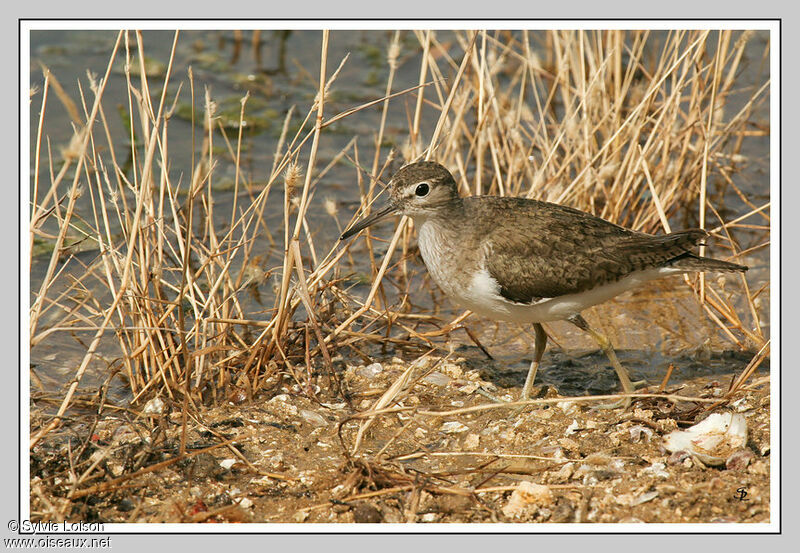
x=470, y=285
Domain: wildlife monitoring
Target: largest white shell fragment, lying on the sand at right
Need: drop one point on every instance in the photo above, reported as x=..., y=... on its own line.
x=711, y=440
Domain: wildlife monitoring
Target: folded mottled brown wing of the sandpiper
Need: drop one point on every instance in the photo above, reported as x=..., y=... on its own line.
x=554, y=250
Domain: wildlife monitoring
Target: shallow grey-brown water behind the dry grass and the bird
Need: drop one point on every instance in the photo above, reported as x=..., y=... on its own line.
x=652, y=327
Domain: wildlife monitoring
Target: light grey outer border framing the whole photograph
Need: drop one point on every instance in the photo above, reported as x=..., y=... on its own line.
x=415, y=9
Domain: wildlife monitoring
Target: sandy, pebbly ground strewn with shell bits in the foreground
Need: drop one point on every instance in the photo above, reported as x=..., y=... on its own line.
x=428, y=458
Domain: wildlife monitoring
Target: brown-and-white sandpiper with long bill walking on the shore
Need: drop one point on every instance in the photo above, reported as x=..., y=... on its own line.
x=528, y=261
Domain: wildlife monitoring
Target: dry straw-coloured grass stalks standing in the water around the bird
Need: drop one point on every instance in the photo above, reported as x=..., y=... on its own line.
x=631, y=127
